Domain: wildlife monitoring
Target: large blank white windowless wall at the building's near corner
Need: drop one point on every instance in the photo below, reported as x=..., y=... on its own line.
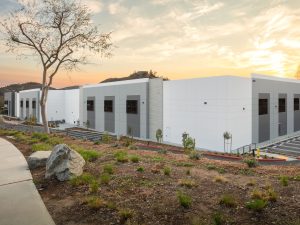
x=206, y=108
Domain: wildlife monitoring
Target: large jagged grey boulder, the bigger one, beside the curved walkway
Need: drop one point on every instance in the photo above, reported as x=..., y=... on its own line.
x=64, y=163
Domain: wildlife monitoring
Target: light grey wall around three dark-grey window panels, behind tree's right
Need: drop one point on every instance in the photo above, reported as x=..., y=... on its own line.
x=120, y=91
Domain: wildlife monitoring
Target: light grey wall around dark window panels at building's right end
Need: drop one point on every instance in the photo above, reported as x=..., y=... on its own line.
x=275, y=87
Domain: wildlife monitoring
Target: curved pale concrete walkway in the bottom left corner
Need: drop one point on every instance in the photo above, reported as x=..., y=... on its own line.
x=20, y=202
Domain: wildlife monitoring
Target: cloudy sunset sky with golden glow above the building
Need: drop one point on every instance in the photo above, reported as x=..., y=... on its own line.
x=181, y=39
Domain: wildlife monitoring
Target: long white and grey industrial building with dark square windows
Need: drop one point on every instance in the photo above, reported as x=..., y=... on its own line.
x=252, y=109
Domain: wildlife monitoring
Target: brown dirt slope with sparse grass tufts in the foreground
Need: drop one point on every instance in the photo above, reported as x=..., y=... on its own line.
x=151, y=197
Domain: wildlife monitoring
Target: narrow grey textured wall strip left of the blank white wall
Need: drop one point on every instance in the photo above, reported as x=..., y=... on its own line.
x=155, y=107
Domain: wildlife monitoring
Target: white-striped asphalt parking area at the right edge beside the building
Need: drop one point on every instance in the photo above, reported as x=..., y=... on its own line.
x=289, y=147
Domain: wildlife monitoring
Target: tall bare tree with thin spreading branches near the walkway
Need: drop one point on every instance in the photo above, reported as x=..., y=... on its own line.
x=60, y=33
